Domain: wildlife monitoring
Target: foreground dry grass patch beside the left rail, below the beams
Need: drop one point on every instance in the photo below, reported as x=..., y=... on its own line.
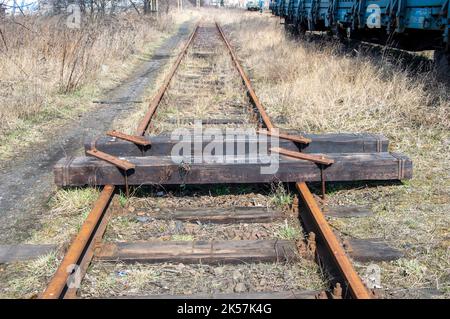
x=67, y=211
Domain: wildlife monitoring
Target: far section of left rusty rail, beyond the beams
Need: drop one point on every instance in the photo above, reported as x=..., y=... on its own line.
x=142, y=128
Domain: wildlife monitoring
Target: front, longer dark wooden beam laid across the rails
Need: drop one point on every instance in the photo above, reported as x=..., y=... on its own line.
x=153, y=170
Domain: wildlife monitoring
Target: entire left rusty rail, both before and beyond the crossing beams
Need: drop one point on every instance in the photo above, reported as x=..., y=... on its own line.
x=81, y=251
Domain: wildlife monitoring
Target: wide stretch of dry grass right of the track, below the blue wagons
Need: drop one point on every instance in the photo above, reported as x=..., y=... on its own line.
x=317, y=88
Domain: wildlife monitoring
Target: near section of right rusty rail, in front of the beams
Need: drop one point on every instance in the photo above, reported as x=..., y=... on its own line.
x=355, y=284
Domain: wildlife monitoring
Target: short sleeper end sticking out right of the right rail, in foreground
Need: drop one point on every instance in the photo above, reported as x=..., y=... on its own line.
x=371, y=250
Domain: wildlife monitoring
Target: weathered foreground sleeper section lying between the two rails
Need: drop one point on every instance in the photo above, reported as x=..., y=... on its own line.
x=213, y=252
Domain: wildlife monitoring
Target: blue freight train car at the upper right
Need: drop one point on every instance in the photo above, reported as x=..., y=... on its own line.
x=413, y=25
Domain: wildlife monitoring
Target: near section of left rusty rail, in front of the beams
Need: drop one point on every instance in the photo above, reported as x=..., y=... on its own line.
x=58, y=284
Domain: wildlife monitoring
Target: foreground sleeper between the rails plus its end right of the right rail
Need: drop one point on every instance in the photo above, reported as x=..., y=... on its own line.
x=232, y=252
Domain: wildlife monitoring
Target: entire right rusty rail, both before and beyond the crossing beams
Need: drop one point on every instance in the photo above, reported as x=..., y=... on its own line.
x=343, y=263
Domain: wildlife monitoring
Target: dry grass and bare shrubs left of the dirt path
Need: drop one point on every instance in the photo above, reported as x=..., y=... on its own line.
x=50, y=73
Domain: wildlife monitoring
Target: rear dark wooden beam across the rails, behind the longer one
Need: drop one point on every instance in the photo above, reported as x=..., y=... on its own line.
x=325, y=143
